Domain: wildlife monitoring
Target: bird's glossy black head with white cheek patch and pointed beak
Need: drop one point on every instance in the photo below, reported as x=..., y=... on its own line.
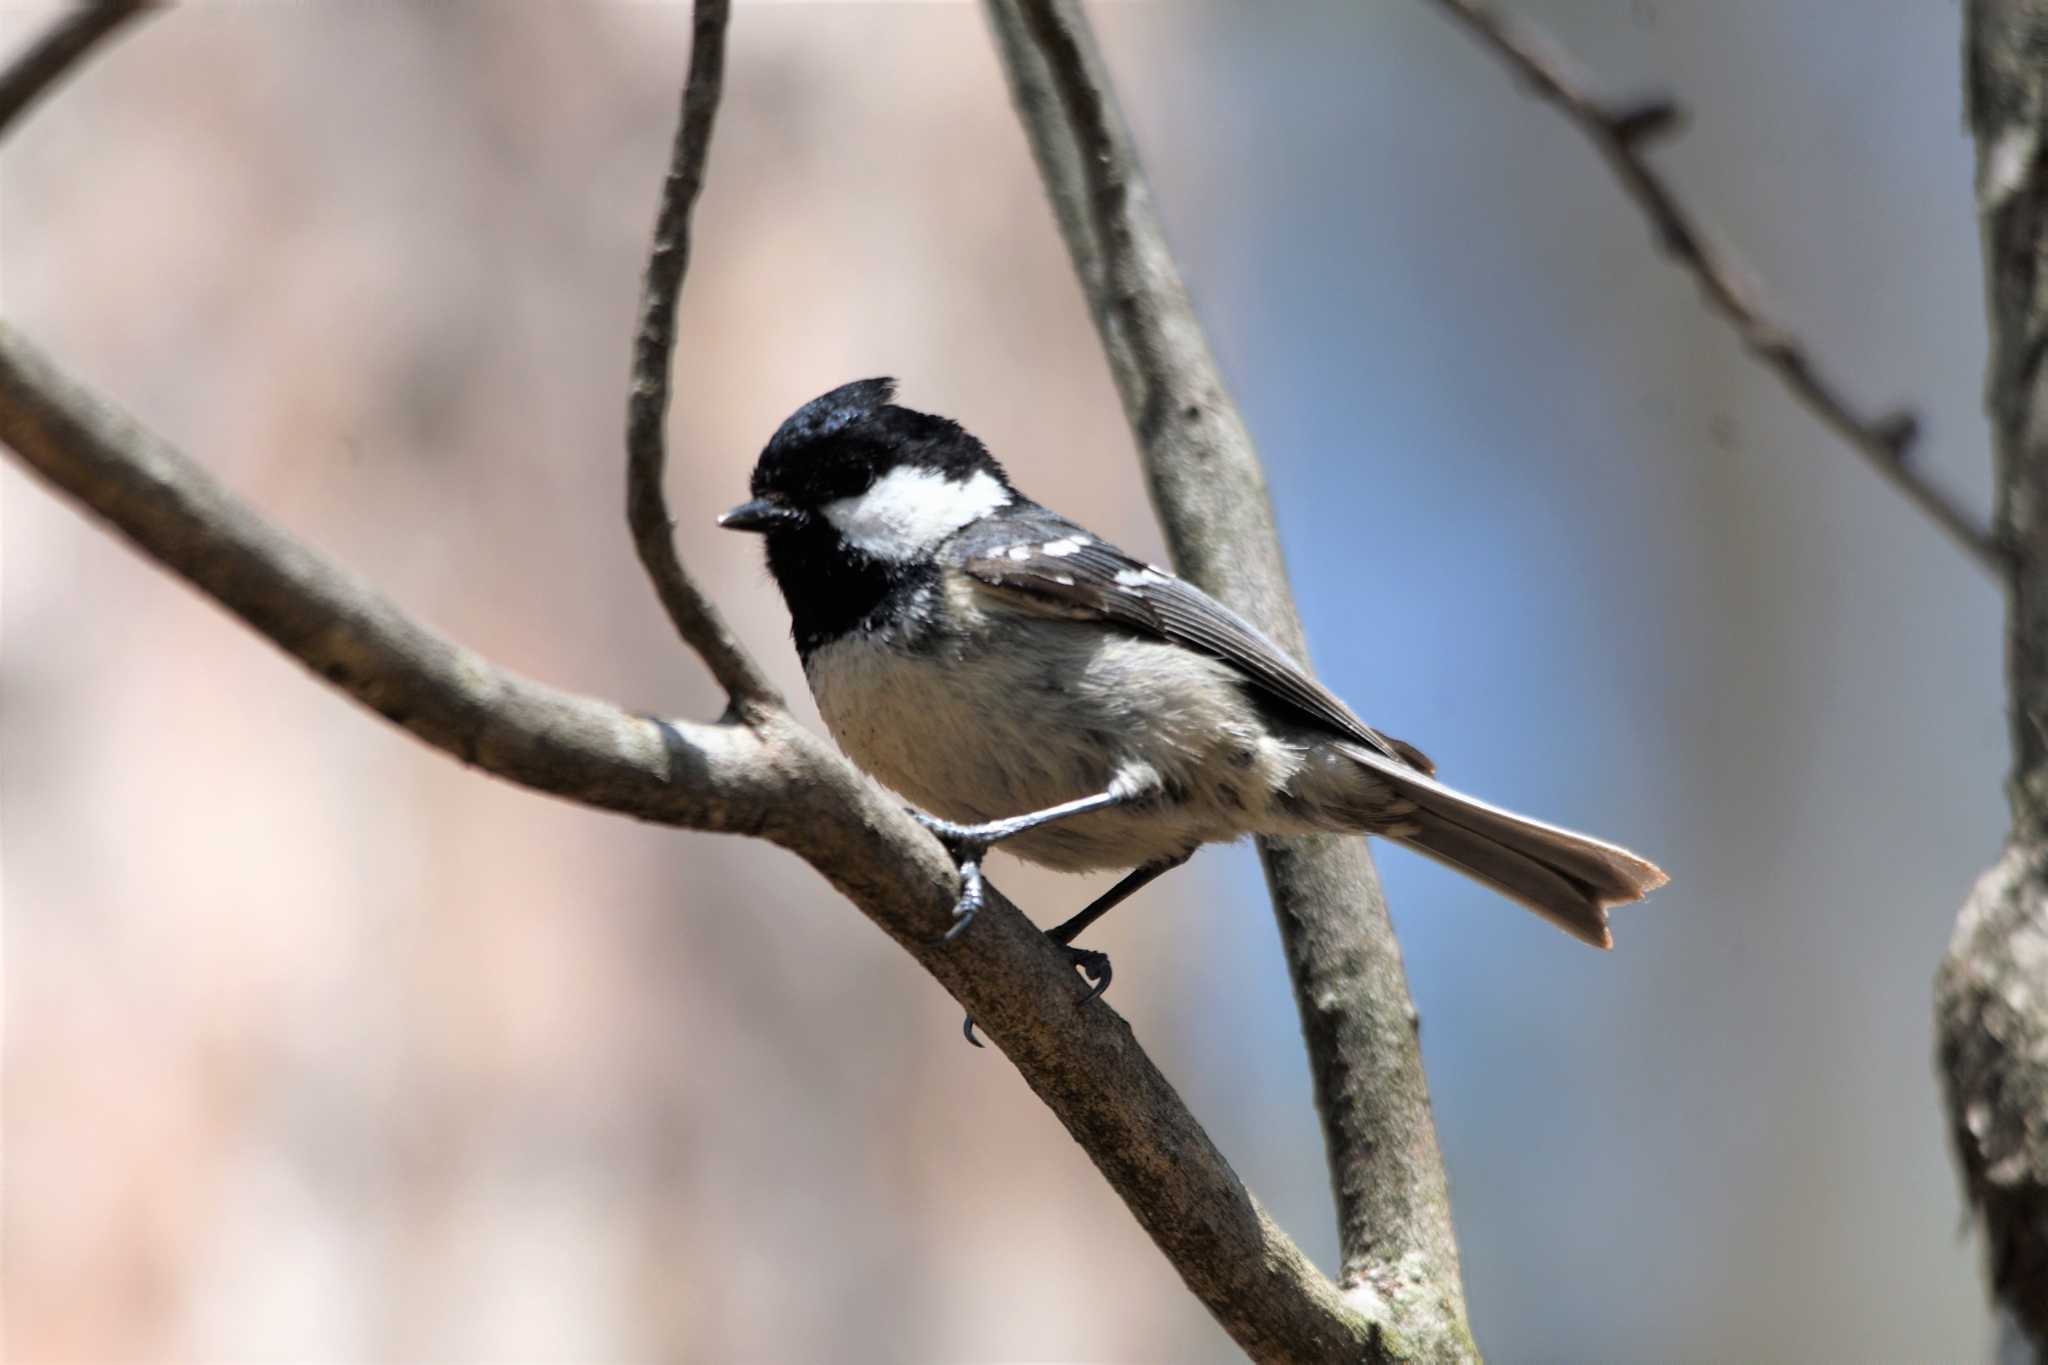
x=855, y=498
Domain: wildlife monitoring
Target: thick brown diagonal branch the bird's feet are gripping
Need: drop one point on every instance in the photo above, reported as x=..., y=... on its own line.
x=767, y=779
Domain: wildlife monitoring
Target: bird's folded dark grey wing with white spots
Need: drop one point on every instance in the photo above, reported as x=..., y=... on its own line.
x=1050, y=566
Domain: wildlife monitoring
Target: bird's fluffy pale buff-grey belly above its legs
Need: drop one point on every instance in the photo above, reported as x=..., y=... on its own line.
x=1062, y=711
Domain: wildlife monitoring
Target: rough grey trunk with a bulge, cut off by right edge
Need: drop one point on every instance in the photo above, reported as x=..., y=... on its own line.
x=1992, y=996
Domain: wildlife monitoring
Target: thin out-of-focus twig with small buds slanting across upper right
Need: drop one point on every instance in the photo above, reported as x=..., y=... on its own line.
x=1623, y=134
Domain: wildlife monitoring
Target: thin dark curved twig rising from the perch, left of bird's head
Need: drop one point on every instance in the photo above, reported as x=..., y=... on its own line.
x=654, y=531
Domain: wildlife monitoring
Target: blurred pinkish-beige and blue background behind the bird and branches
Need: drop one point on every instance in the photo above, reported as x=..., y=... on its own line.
x=327, y=1049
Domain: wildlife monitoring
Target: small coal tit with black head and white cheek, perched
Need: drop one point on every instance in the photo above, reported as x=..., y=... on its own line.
x=1029, y=685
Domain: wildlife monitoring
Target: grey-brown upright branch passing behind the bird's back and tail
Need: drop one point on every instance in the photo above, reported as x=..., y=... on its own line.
x=1359, y=1022
